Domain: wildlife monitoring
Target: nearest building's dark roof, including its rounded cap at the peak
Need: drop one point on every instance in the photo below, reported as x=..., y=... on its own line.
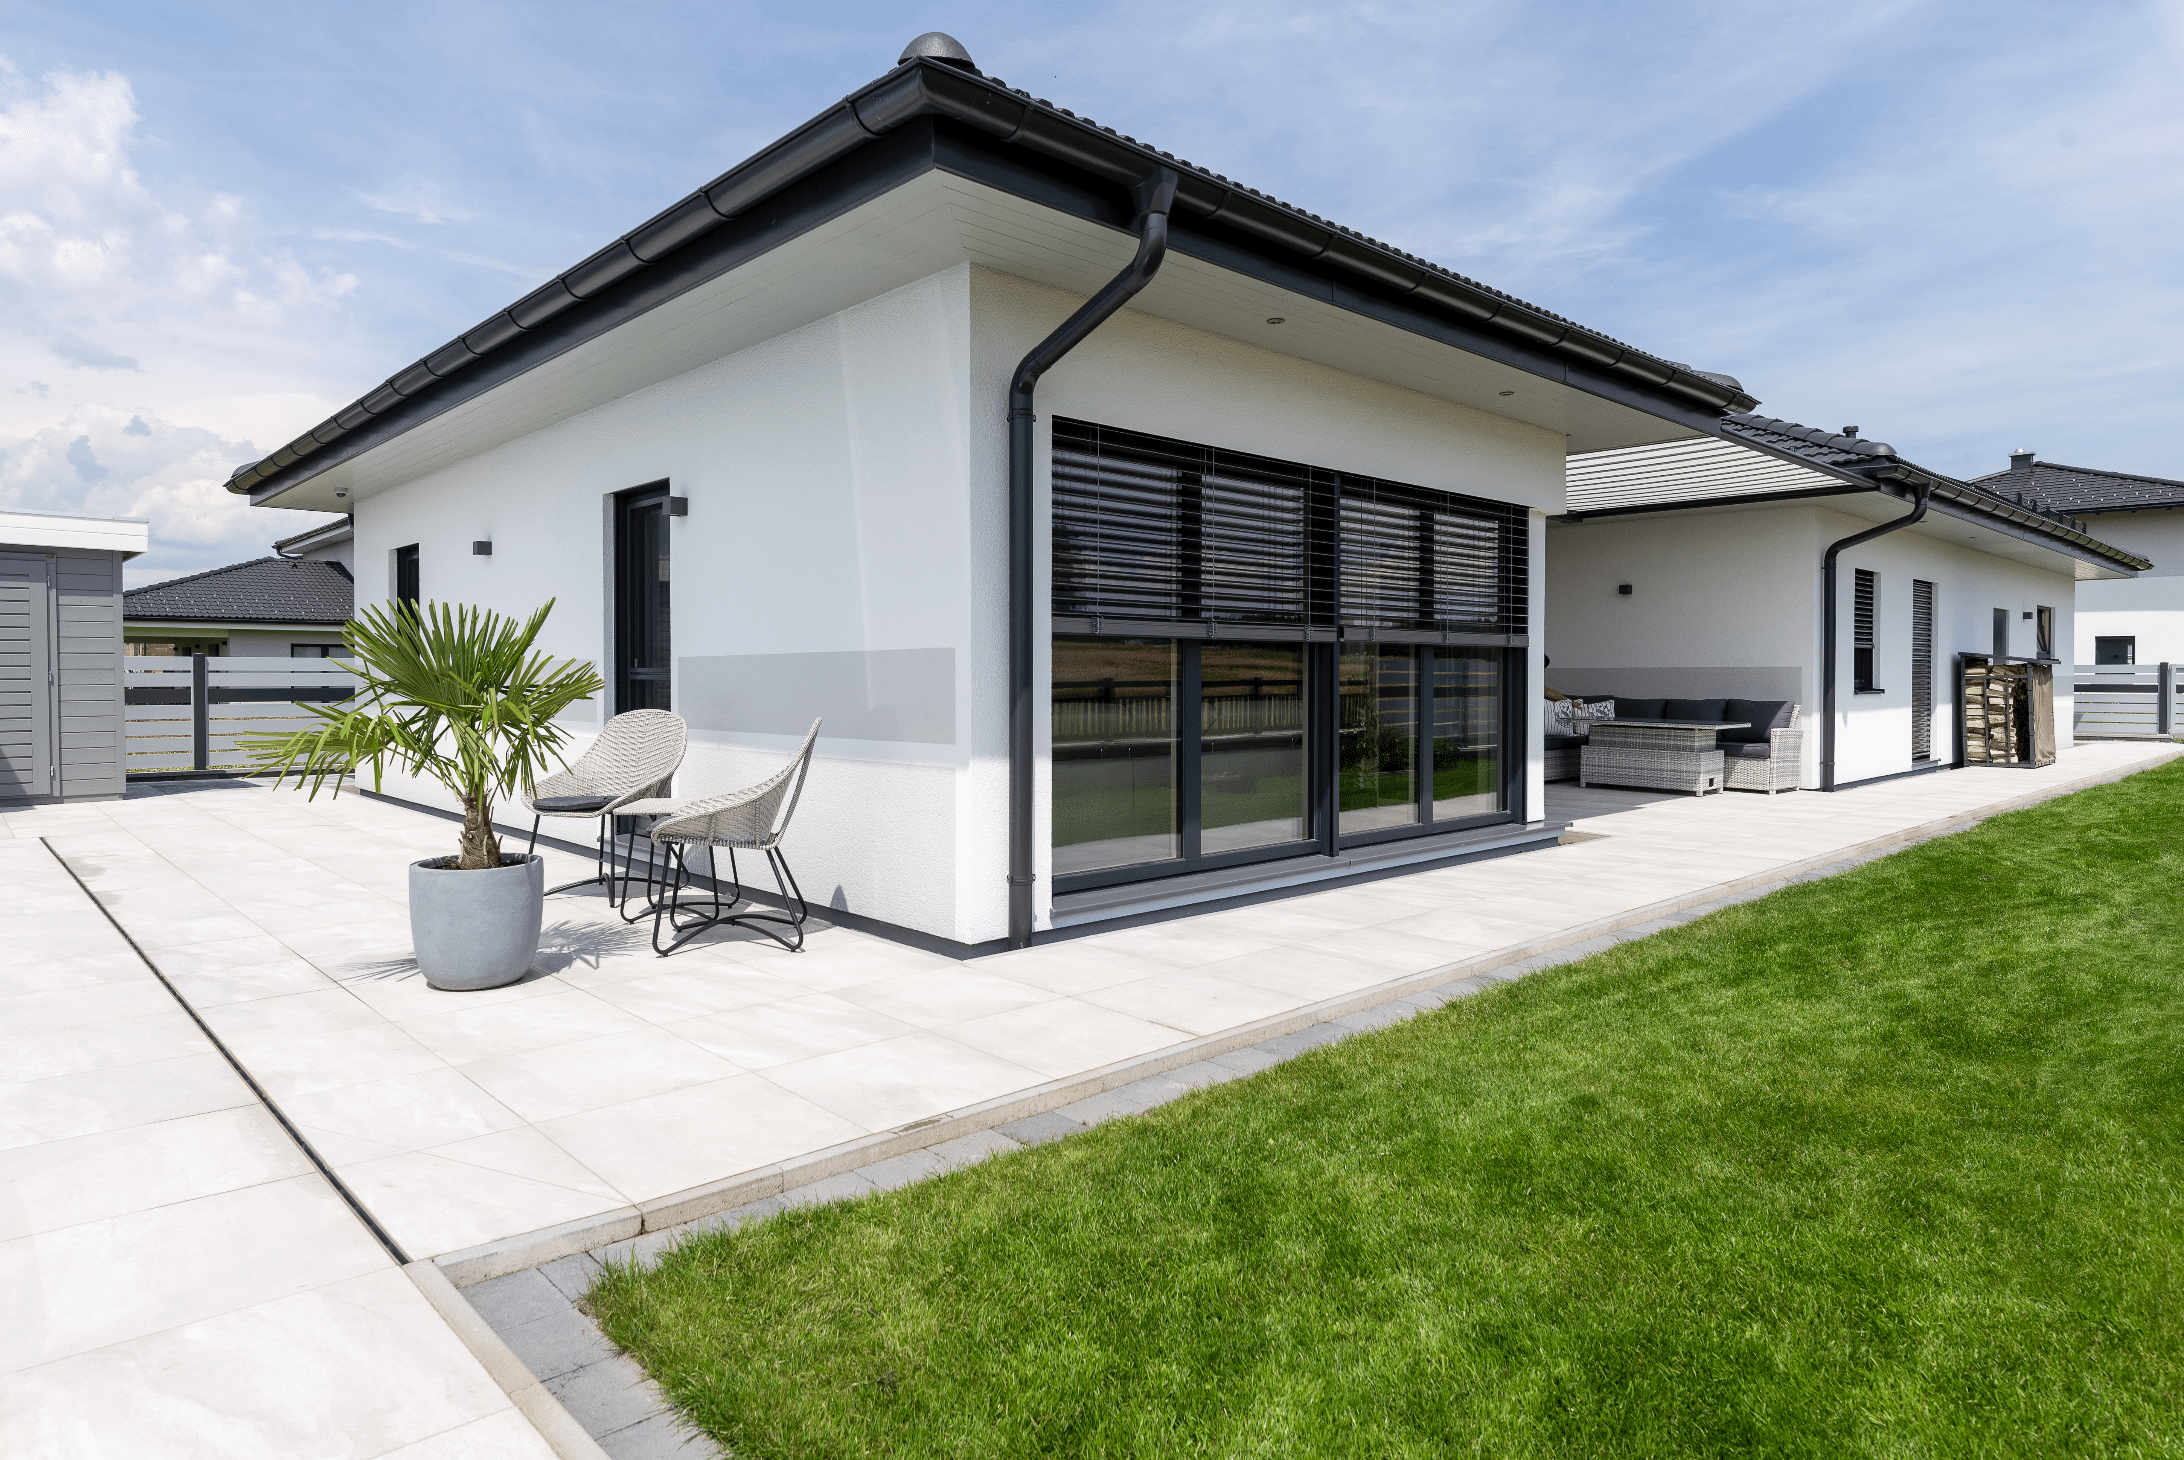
x=938, y=84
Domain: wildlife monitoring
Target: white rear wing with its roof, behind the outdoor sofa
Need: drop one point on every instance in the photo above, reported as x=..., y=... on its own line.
x=1696, y=569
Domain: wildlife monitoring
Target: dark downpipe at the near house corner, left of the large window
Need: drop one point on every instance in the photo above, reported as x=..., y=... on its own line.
x=1154, y=198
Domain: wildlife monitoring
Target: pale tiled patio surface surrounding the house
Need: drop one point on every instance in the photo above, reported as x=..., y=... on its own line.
x=617, y=1094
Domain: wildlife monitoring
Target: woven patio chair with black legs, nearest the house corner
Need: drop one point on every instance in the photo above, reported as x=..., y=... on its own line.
x=750, y=821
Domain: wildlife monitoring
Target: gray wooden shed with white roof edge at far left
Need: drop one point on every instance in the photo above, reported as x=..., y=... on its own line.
x=62, y=655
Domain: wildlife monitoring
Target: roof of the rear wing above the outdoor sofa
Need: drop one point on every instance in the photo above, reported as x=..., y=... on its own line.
x=1761, y=458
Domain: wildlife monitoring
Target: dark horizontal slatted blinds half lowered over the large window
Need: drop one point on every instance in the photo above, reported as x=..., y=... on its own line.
x=1167, y=532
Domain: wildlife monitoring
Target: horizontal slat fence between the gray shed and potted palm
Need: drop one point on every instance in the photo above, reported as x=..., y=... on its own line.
x=187, y=714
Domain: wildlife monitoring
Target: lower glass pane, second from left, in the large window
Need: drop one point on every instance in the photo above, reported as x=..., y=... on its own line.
x=1253, y=775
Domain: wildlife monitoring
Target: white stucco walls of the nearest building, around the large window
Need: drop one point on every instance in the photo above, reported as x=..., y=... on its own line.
x=848, y=495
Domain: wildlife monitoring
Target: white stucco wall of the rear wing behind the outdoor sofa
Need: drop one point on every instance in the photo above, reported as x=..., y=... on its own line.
x=1729, y=604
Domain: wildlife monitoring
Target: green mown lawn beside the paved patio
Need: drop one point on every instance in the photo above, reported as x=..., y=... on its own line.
x=1882, y=1166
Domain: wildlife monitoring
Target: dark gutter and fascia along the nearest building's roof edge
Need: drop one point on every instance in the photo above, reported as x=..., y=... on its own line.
x=927, y=89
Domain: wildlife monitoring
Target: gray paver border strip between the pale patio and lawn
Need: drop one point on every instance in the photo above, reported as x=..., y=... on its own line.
x=538, y=1308
